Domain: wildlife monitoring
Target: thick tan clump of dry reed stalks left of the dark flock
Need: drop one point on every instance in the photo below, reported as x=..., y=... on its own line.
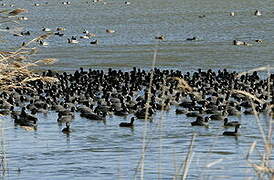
x=14, y=66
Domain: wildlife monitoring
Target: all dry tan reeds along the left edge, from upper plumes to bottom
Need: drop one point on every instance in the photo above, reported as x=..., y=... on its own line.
x=16, y=72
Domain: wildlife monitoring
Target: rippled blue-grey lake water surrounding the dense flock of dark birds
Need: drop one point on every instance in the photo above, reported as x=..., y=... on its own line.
x=95, y=150
